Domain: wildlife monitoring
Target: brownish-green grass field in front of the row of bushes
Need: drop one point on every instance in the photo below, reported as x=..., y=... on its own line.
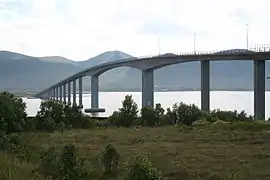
x=231, y=153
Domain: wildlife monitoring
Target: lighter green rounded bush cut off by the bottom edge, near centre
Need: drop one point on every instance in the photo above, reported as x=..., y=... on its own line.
x=142, y=168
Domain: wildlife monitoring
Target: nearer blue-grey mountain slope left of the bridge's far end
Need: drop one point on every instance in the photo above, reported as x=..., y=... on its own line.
x=19, y=72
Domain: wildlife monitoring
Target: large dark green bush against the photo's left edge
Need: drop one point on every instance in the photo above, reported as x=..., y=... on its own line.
x=12, y=113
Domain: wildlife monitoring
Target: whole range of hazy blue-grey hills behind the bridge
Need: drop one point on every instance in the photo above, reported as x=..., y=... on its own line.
x=22, y=73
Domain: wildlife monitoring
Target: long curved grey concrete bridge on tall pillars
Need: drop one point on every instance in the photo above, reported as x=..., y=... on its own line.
x=62, y=90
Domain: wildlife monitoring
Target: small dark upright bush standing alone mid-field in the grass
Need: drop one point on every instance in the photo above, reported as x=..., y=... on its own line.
x=110, y=158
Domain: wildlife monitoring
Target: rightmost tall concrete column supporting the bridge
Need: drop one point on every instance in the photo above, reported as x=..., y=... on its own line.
x=259, y=89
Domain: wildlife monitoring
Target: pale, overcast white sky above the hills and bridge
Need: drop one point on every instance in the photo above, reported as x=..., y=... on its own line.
x=80, y=29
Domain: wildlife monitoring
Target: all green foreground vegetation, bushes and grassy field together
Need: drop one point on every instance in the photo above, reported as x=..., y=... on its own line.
x=183, y=143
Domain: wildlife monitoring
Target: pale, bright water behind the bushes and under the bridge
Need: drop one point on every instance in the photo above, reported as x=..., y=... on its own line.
x=111, y=101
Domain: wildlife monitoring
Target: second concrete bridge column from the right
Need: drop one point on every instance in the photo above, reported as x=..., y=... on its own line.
x=205, y=85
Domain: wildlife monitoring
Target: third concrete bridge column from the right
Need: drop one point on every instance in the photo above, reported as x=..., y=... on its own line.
x=148, y=88
